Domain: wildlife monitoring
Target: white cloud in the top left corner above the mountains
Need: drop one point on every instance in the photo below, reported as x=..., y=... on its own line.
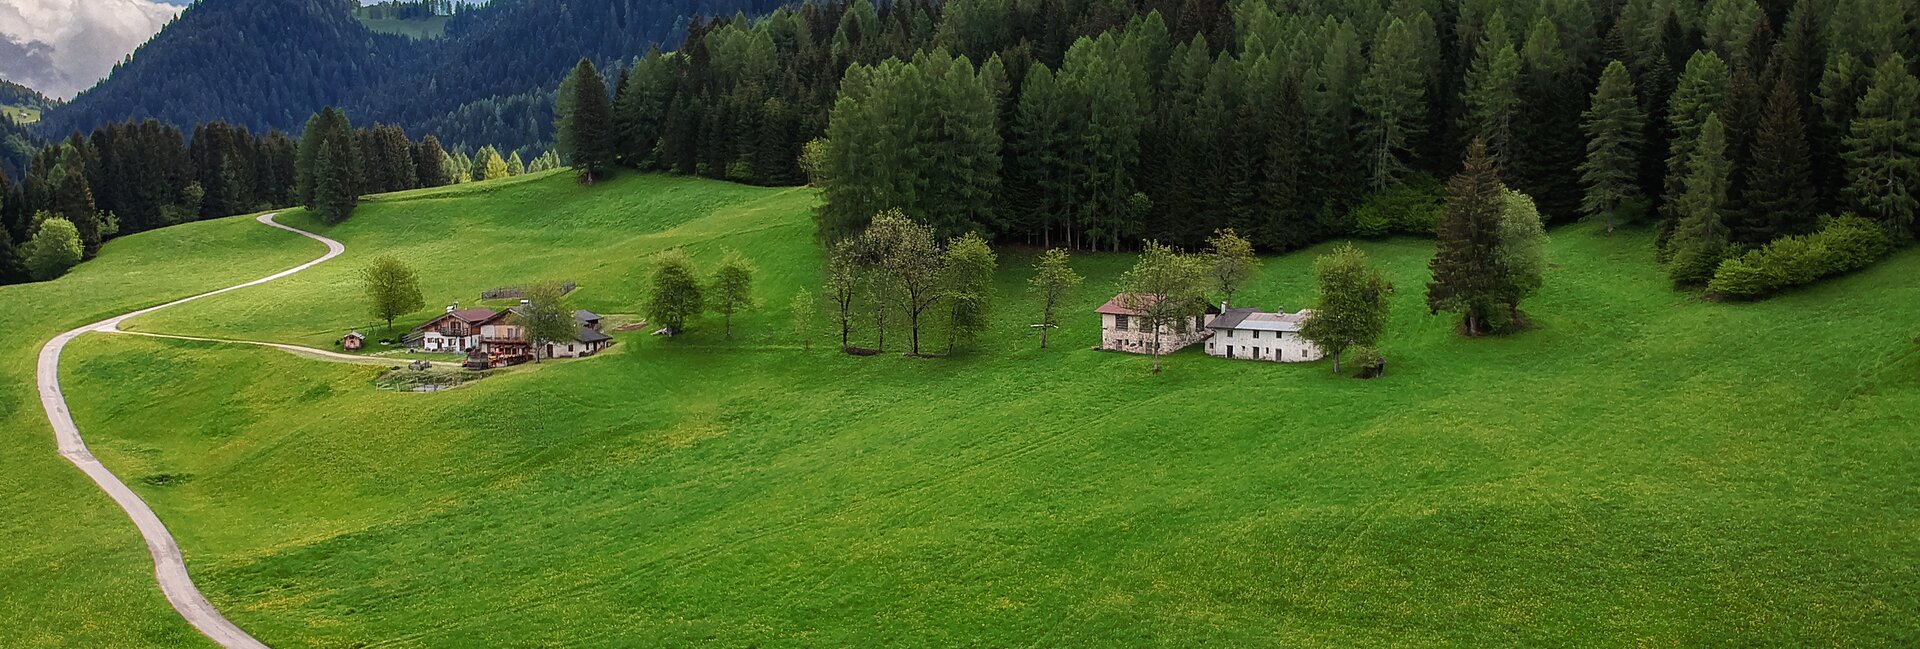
x=76, y=43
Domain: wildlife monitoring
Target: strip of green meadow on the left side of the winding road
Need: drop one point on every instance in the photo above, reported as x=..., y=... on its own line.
x=76, y=571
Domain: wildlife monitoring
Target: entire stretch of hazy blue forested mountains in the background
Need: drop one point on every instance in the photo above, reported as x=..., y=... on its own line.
x=270, y=64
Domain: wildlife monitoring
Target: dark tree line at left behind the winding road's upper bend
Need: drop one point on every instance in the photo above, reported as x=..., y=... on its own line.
x=133, y=178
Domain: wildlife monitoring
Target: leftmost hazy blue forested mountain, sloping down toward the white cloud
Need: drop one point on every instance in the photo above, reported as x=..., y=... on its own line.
x=264, y=64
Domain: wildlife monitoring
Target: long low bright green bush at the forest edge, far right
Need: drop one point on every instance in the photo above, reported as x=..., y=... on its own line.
x=1842, y=245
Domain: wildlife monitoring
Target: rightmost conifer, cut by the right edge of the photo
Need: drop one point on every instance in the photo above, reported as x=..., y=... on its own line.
x=1884, y=149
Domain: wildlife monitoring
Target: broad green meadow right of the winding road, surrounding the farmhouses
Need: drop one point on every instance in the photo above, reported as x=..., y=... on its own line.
x=1641, y=469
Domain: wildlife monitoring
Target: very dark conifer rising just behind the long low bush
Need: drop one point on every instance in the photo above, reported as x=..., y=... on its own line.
x=1781, y=193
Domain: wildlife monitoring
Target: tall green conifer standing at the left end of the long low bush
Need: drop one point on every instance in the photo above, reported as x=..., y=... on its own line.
x=1700, y=241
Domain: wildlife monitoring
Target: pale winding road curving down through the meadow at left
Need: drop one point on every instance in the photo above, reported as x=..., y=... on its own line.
x=170, y=569
